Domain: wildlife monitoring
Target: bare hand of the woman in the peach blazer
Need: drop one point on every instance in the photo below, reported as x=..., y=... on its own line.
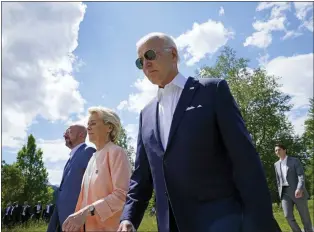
x=76, y=220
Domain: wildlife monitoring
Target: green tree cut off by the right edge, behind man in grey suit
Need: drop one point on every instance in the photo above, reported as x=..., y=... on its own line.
x=308, y=138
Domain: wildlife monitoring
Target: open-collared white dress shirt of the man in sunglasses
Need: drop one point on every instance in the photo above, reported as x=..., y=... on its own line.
x=168, y=98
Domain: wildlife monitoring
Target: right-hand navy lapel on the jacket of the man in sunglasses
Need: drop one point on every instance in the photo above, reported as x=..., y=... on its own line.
x=185, y=100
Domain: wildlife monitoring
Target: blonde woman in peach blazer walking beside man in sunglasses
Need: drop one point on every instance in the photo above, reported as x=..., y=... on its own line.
x=106, y=179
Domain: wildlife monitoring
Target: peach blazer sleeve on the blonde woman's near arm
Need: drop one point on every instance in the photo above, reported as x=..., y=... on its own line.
x=120, y=173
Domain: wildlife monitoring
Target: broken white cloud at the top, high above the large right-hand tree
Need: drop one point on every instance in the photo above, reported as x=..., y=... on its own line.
x=277, y=21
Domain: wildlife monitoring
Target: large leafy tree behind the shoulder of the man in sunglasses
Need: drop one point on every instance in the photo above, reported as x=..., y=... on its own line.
x=262, y=105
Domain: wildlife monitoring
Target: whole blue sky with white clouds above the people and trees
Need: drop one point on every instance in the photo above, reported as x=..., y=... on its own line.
x=60, y=58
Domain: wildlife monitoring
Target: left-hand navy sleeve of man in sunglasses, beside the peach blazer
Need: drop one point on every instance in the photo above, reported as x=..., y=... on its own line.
x=141, y=185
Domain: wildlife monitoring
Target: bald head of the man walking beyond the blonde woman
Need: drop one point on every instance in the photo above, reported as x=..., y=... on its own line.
x=75, y=135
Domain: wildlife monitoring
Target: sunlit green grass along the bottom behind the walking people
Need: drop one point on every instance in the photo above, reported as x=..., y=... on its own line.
x=150, y=224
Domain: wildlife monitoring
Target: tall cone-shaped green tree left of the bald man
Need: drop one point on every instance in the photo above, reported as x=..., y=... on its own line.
x=30, y=162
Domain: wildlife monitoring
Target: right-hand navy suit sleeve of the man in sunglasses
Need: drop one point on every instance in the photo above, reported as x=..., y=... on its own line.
x=248, y=172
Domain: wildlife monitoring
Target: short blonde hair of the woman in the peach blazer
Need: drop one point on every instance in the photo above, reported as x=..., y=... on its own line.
x=109, y=117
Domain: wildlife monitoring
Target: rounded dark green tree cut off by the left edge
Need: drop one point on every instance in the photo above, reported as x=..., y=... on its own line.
x=12, y=182
